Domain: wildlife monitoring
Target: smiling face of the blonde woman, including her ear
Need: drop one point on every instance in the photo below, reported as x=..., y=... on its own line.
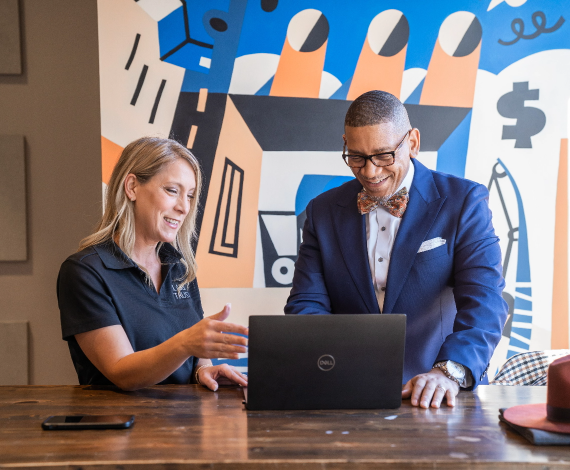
x=163, y=202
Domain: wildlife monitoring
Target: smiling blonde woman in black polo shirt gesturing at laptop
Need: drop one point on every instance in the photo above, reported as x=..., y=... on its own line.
x=129, y=301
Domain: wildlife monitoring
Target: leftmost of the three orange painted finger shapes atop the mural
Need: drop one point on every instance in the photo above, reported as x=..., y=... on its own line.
x=299, y=73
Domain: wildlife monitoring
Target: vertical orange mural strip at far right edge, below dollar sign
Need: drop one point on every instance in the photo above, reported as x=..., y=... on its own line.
x=559, y=334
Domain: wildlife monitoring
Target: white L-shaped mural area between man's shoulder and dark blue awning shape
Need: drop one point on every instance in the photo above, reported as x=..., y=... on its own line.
x=282, y=172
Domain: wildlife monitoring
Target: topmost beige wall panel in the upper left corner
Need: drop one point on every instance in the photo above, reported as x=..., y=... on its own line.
x=10, y=50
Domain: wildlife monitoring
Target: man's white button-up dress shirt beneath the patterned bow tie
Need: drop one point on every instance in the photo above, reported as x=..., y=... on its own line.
x=381, y=230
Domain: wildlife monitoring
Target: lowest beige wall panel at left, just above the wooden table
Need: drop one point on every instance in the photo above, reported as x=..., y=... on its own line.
x=14, y=353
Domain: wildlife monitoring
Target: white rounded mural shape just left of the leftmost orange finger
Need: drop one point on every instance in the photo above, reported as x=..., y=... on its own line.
x=251, y=72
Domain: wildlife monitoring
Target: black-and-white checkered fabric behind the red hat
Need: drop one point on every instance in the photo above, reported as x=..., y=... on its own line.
x=527, y=368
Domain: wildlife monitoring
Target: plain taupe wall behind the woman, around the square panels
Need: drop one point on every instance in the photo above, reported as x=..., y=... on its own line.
x=55, y=105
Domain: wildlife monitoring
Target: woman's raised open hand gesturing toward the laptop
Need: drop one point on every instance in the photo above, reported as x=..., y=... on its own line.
x=212, y=337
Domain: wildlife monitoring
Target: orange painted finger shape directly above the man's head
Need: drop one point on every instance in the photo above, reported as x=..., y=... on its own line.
x=375, y=72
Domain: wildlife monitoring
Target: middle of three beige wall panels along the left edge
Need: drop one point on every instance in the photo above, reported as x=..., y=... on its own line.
x=13, y=240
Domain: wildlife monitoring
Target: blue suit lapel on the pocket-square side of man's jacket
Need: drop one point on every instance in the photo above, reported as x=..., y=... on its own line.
x=423, y=207
